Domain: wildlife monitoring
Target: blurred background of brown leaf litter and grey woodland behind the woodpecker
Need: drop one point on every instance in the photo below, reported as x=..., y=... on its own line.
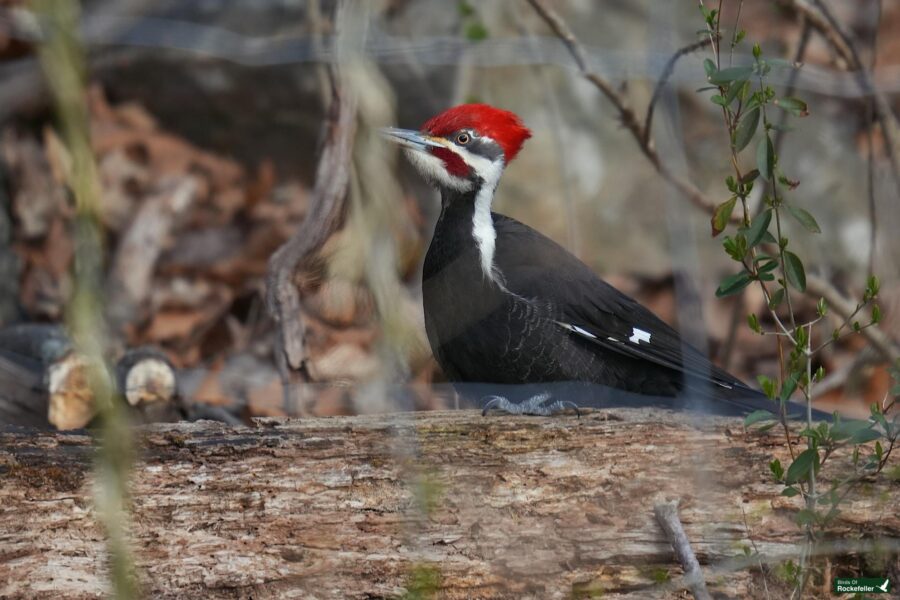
x=206, y=120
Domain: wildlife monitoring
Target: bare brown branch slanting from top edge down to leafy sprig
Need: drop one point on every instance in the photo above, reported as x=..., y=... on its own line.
x=626, y=113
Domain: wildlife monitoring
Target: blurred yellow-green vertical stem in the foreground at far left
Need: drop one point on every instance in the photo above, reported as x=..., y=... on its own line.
x=63, y=61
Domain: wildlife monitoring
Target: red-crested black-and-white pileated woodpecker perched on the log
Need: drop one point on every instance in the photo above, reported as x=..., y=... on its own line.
x=506, y=305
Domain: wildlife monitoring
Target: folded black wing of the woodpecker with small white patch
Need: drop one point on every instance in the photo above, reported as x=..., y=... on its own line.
x=535, y=266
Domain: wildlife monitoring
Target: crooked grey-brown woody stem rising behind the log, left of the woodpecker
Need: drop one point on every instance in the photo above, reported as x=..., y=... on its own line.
x=327, y=209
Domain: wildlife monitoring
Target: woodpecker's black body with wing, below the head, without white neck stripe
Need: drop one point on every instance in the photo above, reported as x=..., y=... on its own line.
x=517, y=327
